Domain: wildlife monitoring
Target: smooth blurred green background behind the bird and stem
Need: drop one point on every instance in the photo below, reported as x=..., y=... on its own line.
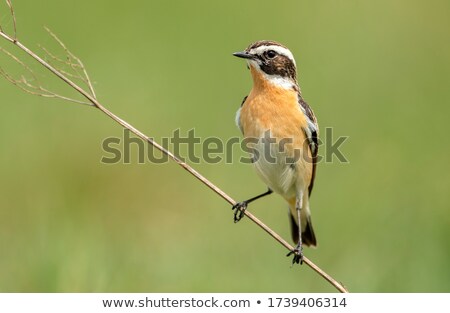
x=376, y=71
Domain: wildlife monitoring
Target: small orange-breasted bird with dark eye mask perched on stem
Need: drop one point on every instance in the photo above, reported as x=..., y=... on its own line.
x=282, y=133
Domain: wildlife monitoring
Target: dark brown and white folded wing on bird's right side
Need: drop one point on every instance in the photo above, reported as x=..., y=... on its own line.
x=312, y=133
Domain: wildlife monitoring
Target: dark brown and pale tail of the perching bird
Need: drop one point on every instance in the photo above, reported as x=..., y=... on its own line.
x=308, y=236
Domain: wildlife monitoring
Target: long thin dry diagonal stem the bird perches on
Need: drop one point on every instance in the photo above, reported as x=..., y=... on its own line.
x=90, y=96
